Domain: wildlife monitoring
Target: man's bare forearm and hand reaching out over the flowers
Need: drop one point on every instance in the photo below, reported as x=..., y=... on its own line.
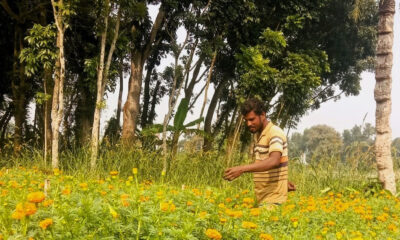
x=273, y=161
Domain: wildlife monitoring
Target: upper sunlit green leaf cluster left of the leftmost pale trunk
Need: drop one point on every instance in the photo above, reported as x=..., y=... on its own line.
x=41, y=51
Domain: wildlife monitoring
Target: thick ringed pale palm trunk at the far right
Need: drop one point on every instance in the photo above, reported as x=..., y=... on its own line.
x=383, y=87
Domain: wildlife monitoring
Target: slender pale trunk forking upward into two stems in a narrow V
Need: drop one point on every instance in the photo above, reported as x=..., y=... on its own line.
x=102, y=76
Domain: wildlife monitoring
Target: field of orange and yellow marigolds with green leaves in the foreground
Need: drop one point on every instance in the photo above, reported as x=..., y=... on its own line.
x=37, y=205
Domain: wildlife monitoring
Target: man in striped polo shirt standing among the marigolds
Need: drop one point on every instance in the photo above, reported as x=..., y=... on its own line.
x=270, y=169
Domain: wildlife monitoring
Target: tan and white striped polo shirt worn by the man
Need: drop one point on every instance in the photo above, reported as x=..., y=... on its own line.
x=271, y=185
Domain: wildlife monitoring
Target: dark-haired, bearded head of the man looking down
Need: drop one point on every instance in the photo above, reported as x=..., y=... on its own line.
x=253, y=111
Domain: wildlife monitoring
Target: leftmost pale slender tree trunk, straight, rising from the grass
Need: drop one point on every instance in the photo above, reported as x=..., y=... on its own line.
x=58, y=92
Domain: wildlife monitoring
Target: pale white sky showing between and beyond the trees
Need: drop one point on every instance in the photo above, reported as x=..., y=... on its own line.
x=341, y=114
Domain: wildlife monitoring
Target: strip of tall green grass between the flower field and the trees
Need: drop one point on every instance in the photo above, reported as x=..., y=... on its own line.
x=200, y=169
